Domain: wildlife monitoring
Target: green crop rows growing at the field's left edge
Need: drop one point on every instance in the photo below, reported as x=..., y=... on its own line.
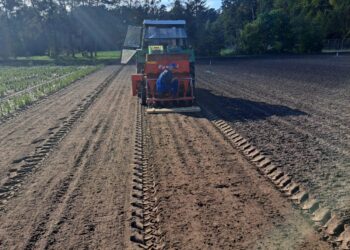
x=20, y=87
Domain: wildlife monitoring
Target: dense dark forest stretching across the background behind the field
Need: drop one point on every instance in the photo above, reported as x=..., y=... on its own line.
x=67, y=27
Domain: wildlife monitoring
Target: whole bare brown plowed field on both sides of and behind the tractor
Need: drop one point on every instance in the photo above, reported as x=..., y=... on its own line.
x=67, y=164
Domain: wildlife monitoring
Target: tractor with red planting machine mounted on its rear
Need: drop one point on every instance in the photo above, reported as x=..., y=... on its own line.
x=164, y=46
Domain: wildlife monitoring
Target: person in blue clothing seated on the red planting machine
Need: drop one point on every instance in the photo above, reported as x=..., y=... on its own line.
x=166, y=83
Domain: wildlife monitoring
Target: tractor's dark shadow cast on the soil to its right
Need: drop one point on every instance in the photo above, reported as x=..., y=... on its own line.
x=243, y=110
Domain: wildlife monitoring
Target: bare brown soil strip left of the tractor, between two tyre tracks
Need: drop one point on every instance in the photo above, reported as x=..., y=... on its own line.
x=91, y=170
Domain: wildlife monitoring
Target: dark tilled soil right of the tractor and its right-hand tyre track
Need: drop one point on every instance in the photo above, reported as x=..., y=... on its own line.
x=296, y=110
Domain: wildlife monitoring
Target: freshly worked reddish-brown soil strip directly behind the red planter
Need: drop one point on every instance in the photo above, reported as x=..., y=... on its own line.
x=209, y=196
